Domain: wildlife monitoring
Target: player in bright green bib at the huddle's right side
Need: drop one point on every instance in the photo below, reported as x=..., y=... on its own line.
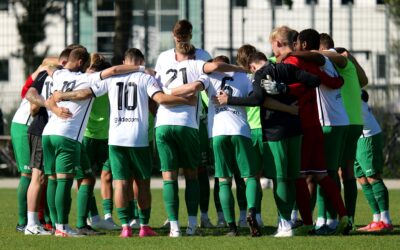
x=354, y=78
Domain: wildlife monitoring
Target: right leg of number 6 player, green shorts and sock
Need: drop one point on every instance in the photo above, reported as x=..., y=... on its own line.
x=248, y=170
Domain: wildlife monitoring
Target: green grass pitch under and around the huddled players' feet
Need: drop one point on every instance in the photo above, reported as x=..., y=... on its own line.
x=211, y=239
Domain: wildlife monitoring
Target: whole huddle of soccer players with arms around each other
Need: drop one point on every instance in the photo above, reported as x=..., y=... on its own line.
x=299, y=118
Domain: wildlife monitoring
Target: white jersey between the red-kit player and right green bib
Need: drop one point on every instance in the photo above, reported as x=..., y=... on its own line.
x=331, y=109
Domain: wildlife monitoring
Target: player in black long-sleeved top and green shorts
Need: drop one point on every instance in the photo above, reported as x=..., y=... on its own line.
x=281, y=134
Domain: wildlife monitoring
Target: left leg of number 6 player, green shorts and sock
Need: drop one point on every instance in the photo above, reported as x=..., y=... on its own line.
x=224, y=161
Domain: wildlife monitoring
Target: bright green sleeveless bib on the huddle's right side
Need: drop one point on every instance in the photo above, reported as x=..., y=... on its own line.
x=351, y=91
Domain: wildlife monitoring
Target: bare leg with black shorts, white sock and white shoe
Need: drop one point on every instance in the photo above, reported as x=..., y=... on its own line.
x=35, y=188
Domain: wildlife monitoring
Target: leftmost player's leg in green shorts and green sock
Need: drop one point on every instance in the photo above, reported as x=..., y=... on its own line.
x=20, y=142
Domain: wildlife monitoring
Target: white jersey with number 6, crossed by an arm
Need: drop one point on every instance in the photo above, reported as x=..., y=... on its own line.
x=227, y=119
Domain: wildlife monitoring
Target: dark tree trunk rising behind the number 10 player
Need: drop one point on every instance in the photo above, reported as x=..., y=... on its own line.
x=123, y=28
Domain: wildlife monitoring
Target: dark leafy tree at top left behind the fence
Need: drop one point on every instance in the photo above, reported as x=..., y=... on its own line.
x=31, y=26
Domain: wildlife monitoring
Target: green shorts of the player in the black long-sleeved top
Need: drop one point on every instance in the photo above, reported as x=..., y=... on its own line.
x=282, y=158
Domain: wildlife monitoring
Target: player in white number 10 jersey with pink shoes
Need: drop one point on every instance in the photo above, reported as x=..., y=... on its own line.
x=129, y=152
